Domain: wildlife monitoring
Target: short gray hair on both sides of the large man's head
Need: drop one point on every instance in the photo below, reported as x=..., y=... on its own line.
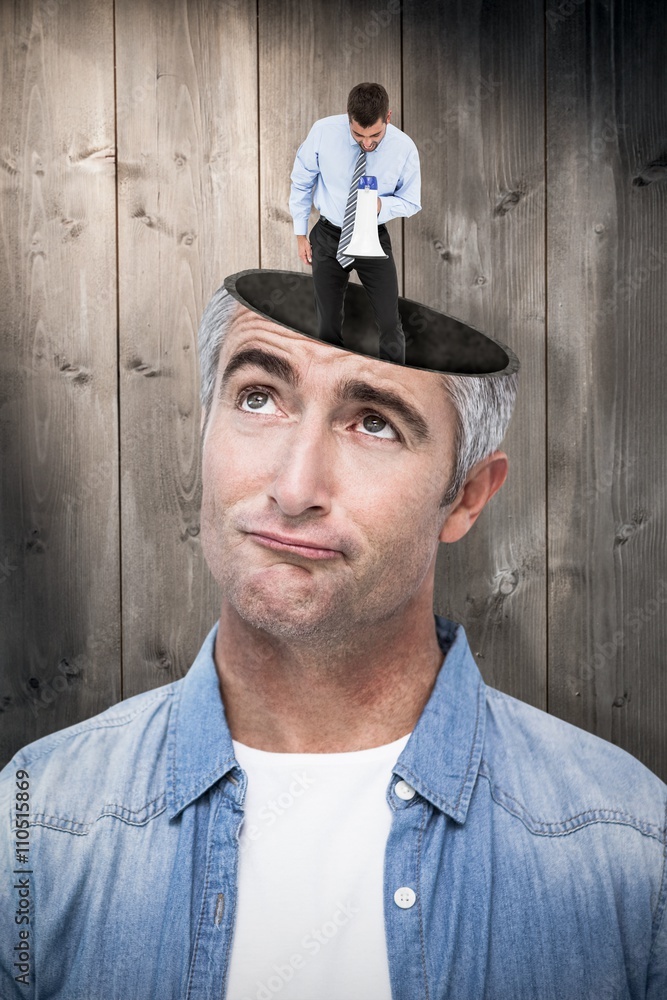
x=483, y=404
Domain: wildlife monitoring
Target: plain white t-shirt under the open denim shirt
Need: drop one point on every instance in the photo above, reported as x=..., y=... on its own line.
x=310, y=911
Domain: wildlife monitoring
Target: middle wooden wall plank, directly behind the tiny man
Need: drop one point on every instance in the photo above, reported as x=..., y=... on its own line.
x=311, y=54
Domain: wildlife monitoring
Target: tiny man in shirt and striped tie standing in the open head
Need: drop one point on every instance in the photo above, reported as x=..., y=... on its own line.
x=337, y=152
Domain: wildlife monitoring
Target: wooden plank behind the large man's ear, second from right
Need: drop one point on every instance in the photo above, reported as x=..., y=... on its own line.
x=473, y=102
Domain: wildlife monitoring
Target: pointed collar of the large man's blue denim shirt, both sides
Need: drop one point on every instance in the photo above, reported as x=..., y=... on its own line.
x=440, y=760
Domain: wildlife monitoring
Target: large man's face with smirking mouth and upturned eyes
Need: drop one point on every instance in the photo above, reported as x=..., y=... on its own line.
x=323, y=473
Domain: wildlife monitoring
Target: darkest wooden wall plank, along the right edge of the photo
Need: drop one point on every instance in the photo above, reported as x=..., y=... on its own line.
x=607, y=225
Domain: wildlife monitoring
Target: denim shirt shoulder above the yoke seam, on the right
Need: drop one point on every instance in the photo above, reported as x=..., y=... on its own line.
x=557, y=777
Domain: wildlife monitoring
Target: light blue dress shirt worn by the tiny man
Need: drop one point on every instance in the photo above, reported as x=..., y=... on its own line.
x=324, y=167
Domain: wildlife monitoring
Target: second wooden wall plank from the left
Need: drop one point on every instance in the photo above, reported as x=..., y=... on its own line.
x=188, y=161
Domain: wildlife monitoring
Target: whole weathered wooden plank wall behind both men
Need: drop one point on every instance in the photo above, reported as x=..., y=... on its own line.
x=543, y=143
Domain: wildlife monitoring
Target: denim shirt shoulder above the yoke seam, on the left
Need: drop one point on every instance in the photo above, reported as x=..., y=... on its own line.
x=116, y=758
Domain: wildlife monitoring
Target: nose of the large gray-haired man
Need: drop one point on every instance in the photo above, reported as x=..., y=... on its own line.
x=303, y=477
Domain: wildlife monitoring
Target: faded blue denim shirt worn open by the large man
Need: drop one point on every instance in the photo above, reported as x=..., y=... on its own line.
x=535, y=853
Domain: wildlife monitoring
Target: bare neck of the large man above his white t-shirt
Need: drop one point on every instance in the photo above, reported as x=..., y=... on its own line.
x=288, y=697
